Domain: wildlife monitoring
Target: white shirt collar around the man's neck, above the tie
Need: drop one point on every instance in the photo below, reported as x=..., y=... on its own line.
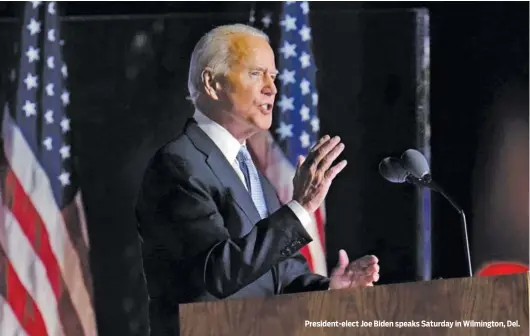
x=223, y=139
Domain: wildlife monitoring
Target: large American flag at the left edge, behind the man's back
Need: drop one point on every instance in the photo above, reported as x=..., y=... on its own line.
x=45, y=282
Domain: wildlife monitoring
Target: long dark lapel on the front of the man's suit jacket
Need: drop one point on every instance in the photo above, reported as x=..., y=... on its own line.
x=223, y=170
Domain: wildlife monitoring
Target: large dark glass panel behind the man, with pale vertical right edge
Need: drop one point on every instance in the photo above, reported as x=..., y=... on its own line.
x=127, y=79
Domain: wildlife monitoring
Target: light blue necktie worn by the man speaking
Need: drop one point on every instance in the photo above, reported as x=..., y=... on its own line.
x=252, y=180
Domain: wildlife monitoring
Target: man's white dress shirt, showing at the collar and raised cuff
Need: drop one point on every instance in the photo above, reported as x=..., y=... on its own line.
x=230, y=147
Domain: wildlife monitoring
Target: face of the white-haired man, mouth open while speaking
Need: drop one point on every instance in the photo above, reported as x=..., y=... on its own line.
x=247, y=91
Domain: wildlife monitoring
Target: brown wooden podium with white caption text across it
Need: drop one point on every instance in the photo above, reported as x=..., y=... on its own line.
x=495, y=305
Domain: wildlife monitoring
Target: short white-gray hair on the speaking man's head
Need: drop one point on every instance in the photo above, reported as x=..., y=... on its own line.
x=212, y=51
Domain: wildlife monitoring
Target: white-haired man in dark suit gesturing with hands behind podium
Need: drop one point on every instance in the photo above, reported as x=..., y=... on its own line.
x=212, y=225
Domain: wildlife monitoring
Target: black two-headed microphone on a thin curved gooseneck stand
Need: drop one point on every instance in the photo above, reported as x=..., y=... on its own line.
x=414, y=169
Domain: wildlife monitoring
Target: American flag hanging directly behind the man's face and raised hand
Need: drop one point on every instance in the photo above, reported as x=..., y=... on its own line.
x=297, y=124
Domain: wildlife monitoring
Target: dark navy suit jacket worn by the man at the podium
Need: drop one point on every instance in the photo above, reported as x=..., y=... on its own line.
x=203, y=238
